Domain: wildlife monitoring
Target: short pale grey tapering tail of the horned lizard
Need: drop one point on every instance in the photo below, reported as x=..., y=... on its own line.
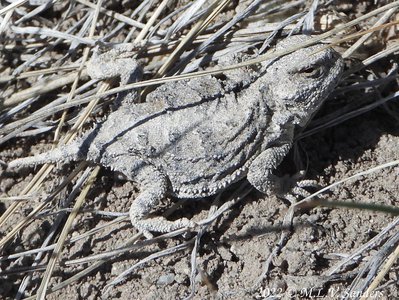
x=66, y=153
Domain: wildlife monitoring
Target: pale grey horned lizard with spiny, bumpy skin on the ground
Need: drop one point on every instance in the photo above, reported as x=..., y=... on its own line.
x=193, y=138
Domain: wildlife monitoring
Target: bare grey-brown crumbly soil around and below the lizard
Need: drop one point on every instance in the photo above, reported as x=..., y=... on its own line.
x=233, y=254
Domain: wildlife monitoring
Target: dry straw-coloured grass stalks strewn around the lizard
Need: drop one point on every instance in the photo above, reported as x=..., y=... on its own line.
x=47, y=95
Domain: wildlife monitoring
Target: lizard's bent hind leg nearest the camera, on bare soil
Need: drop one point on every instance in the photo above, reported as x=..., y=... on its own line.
x=153, y=186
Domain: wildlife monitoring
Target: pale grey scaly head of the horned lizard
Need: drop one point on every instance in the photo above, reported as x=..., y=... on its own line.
x=299, y=82
